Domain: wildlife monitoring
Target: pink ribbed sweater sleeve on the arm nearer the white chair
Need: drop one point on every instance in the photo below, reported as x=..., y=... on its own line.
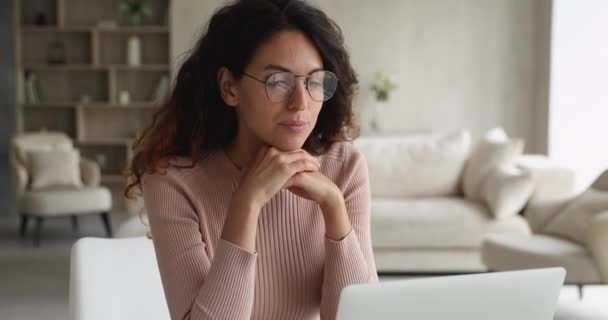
x=195, y=285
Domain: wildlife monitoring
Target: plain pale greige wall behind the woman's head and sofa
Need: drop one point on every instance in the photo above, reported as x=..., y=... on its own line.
x=460, y=64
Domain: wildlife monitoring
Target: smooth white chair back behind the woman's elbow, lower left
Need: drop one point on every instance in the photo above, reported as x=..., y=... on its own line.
x=115, y=279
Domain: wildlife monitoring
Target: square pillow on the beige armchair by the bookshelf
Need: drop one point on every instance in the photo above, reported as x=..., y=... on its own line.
x=54, y=168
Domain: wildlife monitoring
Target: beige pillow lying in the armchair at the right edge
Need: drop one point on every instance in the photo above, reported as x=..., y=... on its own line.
x=573, y=220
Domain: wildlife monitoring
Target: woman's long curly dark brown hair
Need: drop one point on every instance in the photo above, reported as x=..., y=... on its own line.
x=194, y=120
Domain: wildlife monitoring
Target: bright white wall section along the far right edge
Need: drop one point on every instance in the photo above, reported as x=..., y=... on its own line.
x=578, y=100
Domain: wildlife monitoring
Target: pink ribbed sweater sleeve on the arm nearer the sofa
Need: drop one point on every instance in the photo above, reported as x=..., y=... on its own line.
x=350, y=260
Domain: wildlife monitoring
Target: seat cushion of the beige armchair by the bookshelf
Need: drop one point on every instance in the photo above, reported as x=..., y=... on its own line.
x=66, y=201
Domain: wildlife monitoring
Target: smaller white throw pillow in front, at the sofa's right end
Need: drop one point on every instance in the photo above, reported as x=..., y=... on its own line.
x=506, y=190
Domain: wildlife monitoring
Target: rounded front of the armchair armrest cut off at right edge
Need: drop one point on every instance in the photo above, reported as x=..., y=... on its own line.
x=597, y=243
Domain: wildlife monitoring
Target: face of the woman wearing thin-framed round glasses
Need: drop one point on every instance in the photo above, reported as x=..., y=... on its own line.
x=262, y=121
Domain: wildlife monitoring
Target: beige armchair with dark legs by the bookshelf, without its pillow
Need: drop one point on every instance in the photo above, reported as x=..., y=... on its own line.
x=38, y=204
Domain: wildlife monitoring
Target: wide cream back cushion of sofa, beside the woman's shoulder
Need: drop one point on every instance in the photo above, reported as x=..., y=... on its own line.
x=416, y=165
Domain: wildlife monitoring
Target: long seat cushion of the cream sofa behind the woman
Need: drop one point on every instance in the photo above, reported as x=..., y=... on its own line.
x=441, y=222
